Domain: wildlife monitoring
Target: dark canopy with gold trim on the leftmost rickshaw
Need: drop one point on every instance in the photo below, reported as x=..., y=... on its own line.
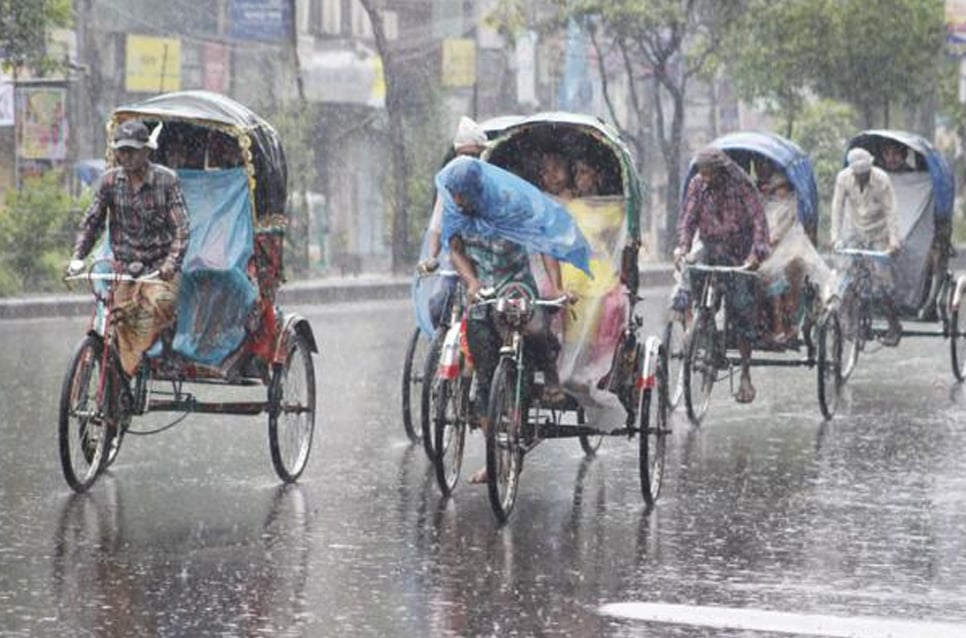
x=261, y=147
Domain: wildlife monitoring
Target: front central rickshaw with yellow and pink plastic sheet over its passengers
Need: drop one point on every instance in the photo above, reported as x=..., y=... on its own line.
x=609, y=371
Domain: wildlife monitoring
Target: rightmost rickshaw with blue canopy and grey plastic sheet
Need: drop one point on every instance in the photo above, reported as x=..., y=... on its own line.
x=924, y=289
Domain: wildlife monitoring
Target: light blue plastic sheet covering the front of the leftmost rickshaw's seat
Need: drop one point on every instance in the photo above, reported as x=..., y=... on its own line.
x=216, y=296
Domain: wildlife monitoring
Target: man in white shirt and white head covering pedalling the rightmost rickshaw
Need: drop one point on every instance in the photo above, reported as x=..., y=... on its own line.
x=864, y=215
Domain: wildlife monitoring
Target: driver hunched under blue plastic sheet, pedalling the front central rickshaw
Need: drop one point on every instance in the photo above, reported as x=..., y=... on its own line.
x=493, y=220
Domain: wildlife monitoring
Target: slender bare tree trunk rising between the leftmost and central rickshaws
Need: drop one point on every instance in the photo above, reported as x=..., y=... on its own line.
x=397, y=139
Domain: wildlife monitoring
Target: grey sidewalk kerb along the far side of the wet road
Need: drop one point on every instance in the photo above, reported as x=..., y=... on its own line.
x=322, y=290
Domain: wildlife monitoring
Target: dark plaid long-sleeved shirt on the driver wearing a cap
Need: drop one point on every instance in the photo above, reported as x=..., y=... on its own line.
x=149, y=225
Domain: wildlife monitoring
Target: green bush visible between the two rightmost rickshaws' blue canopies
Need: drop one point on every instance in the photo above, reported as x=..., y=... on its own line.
x=823, y=130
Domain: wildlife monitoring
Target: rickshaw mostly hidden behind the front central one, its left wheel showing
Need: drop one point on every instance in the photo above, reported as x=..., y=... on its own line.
x=433, y=295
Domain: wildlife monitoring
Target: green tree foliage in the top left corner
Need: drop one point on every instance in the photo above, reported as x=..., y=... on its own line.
x=23, y=29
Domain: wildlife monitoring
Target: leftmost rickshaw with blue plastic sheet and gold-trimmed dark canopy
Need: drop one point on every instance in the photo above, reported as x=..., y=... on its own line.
x=229, y=330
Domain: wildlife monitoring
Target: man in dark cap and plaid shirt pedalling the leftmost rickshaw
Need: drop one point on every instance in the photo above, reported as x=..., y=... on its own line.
x=145, y=208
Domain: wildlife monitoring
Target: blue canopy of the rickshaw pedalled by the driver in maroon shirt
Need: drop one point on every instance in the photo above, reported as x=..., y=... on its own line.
x=783, y=152
